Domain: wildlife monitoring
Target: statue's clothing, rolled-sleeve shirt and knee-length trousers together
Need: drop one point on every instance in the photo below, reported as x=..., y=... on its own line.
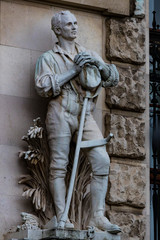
x=65, y=106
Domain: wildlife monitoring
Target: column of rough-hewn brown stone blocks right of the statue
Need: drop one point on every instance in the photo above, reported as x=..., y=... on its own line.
x=128, y=120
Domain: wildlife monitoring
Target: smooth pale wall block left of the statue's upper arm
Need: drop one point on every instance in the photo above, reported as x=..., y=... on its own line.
x=15, y=71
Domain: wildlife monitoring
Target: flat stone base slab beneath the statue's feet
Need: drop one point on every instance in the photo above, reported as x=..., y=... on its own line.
x=55, y=234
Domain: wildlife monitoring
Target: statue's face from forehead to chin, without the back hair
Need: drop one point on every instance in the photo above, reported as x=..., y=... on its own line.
x=68, y=29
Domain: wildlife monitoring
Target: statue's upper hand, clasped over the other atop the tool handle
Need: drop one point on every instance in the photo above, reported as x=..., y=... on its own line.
x=82, y=58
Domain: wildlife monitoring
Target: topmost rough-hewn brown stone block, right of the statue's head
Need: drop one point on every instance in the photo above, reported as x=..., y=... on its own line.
x=126, y=40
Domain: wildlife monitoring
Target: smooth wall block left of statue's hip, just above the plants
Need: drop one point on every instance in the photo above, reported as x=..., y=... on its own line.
x=16, y=116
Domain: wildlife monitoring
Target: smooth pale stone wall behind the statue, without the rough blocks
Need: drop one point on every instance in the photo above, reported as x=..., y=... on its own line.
x=25, y=33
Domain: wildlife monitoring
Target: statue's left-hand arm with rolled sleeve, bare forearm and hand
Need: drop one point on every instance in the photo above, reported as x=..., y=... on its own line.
x=47, y=81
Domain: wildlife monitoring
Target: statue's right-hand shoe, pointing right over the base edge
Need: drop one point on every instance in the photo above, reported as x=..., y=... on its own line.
x=104, y=224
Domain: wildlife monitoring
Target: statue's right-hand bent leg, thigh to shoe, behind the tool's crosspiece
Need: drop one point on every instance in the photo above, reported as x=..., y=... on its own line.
x=100, y=163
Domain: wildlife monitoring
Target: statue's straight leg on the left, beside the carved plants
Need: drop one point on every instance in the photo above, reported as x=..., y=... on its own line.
x=59, y=137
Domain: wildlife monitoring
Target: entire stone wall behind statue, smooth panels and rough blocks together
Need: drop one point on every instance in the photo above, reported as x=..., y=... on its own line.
x=24, y=35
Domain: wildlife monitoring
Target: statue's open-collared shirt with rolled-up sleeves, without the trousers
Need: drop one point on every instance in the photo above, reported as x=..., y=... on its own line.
x=57, y=61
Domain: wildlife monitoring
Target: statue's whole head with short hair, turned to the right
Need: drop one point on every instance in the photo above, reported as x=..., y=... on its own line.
x=64, y=24
